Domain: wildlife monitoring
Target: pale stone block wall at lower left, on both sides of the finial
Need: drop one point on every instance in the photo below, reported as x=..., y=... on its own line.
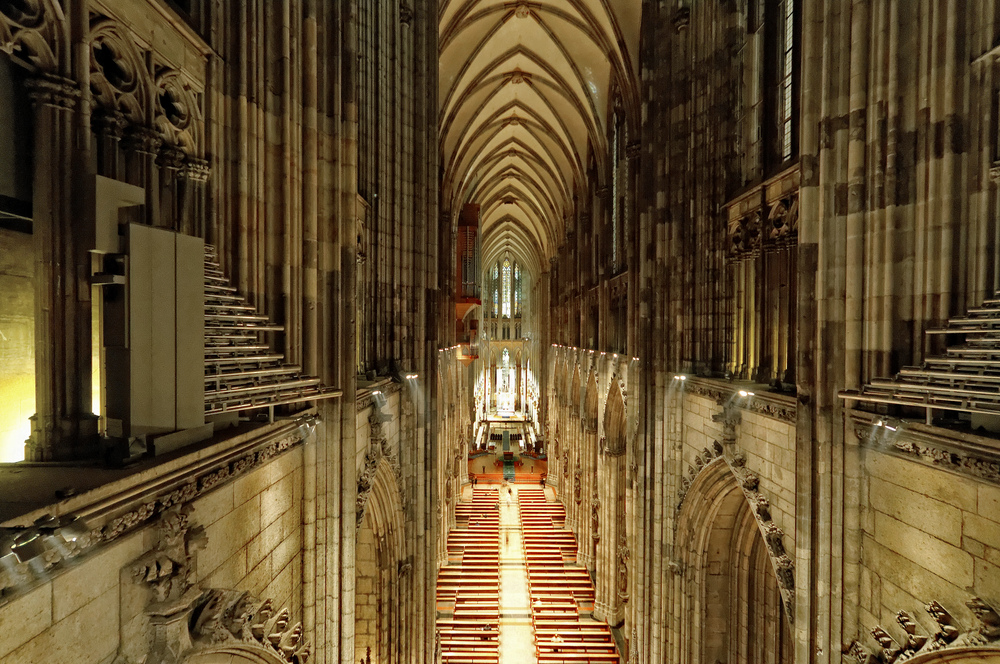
x=90, y=608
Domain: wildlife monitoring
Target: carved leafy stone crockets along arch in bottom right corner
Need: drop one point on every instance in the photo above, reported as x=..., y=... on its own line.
x=986, y=632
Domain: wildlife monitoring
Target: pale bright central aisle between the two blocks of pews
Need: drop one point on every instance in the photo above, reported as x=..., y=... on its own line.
x=516, y=631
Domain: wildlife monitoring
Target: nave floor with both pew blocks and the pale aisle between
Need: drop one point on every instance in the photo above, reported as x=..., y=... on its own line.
x=513, y=591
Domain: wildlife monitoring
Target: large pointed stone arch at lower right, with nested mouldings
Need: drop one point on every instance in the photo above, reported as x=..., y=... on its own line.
x=730, y=594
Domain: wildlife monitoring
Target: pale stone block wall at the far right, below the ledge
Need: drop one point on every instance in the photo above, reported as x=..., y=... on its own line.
x=927, y=535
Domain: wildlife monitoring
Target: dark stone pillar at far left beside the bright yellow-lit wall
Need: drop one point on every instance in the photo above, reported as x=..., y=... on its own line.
x=63, y=425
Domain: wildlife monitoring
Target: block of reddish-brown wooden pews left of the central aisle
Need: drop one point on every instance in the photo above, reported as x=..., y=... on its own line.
x=468, y=587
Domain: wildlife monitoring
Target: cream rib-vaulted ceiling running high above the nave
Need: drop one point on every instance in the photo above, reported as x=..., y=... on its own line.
x=525, y=90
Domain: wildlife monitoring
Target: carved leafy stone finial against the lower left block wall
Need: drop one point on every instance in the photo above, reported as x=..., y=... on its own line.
x=169, y=568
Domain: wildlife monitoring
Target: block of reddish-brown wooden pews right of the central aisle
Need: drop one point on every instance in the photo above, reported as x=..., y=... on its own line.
x=559, y=589
